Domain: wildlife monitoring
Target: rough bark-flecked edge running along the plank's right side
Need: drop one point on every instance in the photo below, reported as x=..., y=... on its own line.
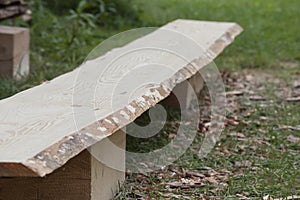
x=58, y=154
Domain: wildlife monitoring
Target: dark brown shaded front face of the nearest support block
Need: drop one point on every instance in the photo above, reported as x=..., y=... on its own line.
x=71, y=180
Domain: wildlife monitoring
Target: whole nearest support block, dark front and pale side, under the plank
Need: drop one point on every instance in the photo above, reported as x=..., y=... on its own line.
x=81, y=178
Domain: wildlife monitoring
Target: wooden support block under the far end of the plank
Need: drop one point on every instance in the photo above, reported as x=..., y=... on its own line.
x=184, y=93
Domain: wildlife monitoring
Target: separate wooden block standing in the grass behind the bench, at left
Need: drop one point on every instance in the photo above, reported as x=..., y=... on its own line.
x=14, y=51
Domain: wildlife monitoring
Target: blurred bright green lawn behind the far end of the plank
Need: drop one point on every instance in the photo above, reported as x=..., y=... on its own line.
x=271, y=28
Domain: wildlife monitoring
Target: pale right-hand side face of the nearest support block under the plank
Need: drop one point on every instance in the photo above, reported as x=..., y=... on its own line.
x=108, y=166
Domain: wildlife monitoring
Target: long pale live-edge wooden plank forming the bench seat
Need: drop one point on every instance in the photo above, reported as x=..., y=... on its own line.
x=43, y=127
